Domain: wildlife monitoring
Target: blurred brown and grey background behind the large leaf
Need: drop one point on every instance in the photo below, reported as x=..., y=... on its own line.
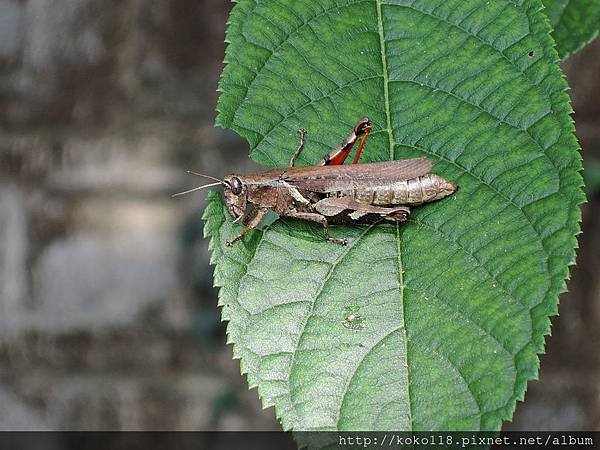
x=107, y=315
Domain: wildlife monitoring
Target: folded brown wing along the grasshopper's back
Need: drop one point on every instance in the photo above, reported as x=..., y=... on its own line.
x=351, y=176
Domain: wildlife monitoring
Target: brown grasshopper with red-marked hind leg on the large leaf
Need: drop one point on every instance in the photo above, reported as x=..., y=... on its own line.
x=333, y=193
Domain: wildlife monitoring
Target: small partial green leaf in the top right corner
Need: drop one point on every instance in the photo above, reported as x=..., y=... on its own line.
x=575, y=22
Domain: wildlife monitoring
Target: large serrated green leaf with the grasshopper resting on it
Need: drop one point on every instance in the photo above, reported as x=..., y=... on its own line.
x=454, y=304
